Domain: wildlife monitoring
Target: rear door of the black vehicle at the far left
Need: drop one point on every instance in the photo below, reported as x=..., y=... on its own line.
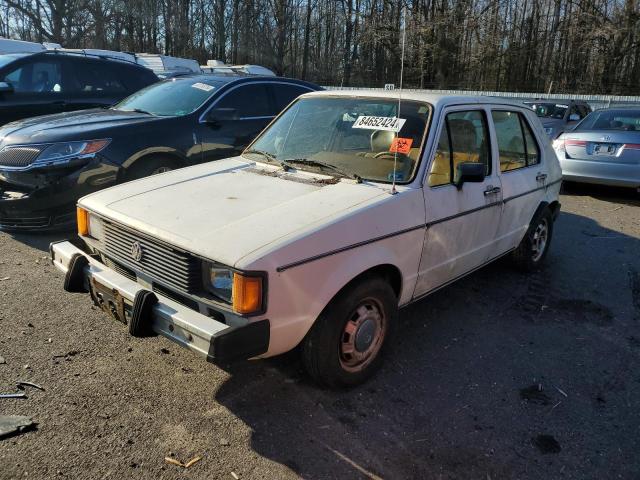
x=93, y=83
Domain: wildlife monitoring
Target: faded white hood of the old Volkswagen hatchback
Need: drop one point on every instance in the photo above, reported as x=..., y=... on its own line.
x=227, y=209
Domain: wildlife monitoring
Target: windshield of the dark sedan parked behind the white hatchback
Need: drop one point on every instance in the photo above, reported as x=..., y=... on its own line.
x=174, y=97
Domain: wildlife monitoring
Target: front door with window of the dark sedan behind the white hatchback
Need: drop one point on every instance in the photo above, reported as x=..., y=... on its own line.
x=235, y=119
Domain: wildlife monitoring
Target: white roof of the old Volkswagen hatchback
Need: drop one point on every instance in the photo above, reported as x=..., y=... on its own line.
x=437, y=100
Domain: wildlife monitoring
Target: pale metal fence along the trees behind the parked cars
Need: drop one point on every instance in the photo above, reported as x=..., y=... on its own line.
x=596, y=101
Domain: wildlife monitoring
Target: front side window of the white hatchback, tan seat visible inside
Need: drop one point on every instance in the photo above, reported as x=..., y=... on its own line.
x=463, y=139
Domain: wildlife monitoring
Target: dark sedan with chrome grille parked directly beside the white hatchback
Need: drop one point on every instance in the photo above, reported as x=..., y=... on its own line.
x=47, y=163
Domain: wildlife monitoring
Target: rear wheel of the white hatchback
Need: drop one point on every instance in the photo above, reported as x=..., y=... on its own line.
x=528, y=257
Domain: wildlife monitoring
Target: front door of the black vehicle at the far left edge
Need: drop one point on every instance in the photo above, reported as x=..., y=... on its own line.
x=38, y=89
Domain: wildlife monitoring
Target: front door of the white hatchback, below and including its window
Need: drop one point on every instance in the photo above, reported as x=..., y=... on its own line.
x=461, y=222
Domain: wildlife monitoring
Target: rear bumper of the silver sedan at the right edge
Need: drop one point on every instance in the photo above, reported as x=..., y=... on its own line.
x=609, y=173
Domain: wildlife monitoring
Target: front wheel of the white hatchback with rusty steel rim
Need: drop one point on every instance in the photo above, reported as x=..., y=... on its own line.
x=323, y=349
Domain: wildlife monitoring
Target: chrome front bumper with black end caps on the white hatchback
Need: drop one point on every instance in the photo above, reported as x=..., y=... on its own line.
x=209, y=338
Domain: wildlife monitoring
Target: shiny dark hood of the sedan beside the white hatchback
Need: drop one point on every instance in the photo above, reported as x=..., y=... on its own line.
x=79, y=125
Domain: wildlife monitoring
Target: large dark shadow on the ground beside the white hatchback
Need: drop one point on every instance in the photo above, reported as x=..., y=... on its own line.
x=500, y=375
